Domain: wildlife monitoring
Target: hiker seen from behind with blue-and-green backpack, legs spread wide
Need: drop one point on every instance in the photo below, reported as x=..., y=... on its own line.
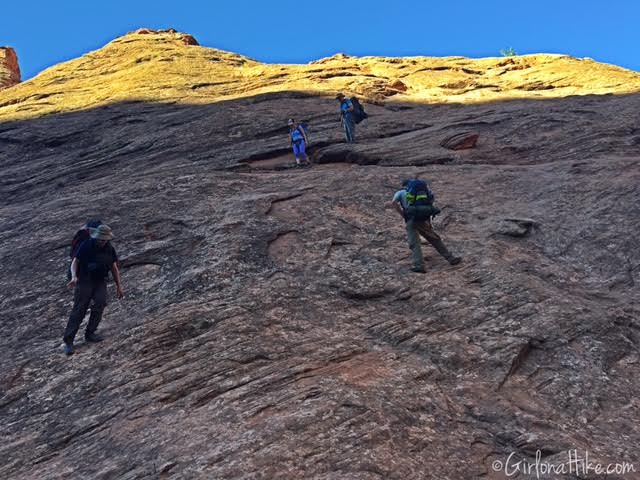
x=415, y=202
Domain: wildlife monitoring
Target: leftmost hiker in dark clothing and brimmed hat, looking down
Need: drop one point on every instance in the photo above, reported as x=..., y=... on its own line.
x=91, y=265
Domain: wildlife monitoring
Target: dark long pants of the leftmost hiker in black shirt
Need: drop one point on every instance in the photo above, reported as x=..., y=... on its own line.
x=84, y=293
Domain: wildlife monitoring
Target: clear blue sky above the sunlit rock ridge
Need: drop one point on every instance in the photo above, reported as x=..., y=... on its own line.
x=46, y=32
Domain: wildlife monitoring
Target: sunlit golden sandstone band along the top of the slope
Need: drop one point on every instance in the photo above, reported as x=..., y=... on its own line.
x=165, y=66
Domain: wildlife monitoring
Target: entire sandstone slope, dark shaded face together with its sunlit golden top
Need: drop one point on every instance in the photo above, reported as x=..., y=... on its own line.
x=272, y=328
